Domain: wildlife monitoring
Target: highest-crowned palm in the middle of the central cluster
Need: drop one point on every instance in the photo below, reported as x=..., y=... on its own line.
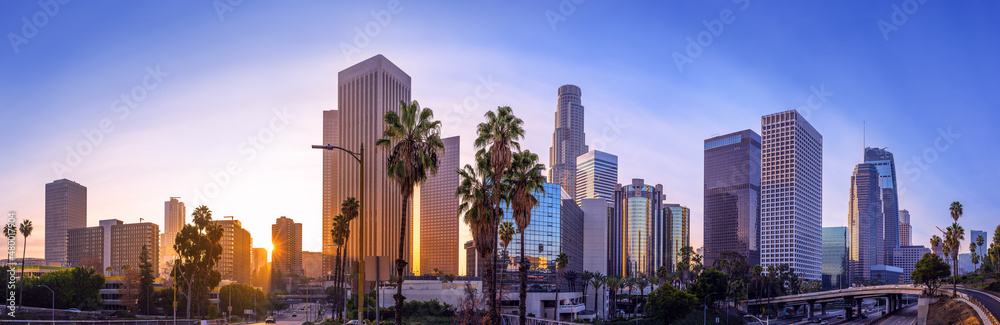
x=497, y=136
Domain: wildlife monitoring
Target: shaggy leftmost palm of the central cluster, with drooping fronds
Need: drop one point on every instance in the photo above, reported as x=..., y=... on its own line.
x=476, y=210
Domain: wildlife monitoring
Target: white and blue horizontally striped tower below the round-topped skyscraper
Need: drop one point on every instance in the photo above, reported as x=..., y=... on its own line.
x=596, y=176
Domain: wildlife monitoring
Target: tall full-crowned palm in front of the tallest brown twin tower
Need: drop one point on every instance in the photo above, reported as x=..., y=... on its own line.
x=412, y=138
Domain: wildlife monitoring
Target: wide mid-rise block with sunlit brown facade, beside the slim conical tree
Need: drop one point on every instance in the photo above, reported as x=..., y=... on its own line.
x=126, y=243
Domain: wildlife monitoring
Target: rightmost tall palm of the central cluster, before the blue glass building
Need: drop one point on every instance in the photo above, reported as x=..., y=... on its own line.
x=524, y=178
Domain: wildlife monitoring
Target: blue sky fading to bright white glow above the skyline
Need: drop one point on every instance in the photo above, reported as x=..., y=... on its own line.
x=217, y=102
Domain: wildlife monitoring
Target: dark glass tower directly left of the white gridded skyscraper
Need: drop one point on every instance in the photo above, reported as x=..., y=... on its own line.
x=732, y=196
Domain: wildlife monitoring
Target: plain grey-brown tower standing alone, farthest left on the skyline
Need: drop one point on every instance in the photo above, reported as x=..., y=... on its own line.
x=65, y=208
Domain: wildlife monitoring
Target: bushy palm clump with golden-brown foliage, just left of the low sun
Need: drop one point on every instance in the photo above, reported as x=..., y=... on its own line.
x=199, y=249
